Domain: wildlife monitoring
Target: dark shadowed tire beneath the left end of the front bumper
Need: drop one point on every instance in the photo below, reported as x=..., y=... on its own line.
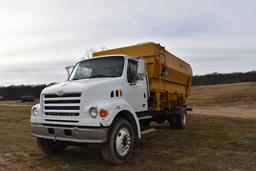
x=50, y=146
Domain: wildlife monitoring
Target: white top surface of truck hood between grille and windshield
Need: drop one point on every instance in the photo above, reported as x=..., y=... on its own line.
x=77, y=85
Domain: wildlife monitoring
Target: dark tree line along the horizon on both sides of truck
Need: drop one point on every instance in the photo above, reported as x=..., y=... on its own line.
x=15, y=92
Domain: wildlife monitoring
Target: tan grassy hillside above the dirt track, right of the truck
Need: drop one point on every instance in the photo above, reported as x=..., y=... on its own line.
x=224, y=94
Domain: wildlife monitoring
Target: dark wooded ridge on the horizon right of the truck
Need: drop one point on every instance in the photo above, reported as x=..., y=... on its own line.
x=217, y=78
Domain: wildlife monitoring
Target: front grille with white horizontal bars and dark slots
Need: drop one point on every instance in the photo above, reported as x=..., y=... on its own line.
x=67, y=104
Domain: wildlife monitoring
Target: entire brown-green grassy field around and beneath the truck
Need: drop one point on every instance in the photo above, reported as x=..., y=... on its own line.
x=221, y=135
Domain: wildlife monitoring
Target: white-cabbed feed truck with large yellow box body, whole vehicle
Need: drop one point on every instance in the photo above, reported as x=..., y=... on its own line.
x=111, y=98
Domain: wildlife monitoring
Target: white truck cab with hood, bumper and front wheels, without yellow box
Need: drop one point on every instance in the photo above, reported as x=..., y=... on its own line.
x=97, y=104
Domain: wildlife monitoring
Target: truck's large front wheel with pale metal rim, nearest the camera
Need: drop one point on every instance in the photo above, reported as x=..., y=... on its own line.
x=120, y=144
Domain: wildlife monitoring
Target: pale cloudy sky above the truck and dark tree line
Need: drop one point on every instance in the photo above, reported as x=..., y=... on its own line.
x=38, y=39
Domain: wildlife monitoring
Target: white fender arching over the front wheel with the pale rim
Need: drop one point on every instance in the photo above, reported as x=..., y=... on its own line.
x=114, y=107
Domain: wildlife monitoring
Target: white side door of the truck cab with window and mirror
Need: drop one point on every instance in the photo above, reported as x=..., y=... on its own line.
x=136, y=86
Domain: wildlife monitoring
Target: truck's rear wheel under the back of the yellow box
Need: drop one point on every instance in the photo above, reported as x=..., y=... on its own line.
x=178, y=120
